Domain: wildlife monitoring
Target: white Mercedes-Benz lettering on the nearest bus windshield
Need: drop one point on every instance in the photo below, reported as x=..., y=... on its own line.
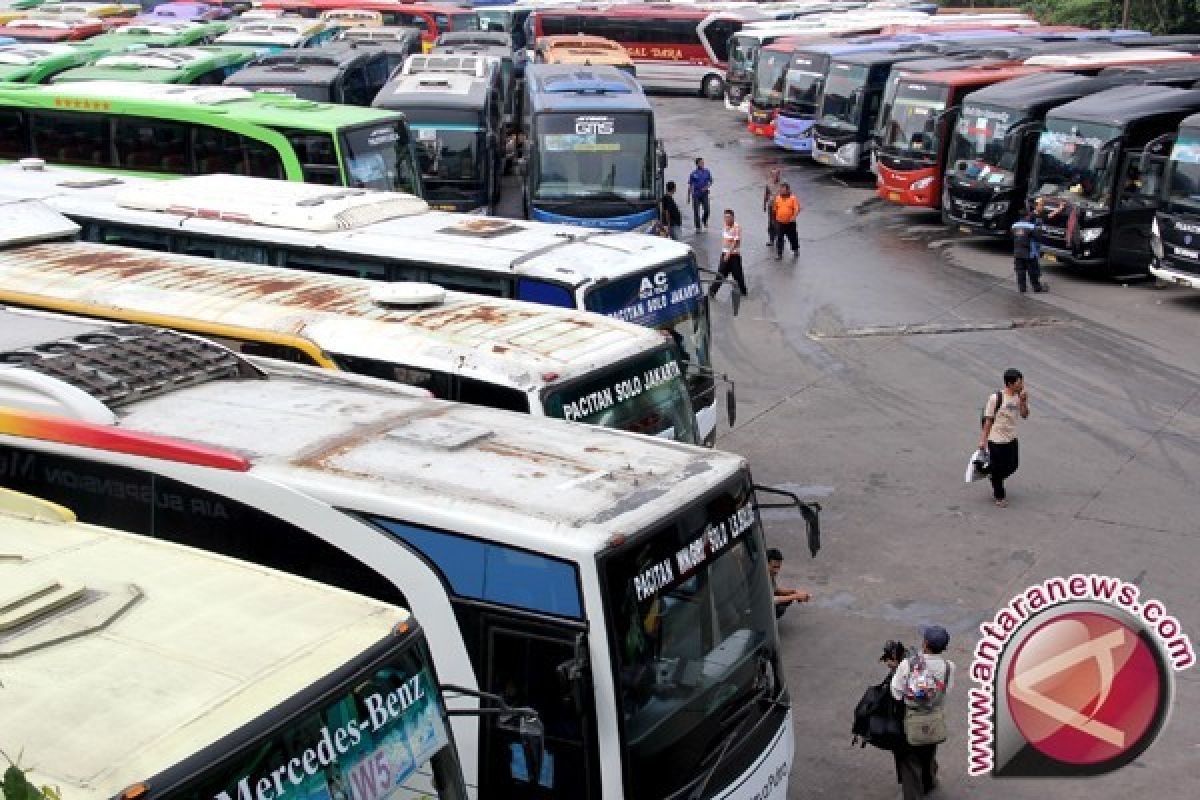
x=382, y=711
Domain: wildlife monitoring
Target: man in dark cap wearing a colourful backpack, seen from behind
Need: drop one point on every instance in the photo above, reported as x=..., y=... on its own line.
x=922, y=682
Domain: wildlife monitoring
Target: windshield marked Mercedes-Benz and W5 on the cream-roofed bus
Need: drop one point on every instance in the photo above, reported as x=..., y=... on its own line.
x=387, y=721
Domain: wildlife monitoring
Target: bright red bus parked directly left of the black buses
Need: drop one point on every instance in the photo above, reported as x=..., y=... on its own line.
x=916, y=136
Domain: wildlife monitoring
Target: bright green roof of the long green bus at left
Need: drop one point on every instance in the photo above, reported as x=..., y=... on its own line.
x=125, y=98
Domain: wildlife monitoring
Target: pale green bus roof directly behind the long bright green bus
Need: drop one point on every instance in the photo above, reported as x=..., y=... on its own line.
x=182, y=65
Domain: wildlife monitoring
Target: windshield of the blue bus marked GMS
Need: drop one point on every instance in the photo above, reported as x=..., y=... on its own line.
x=597, y=157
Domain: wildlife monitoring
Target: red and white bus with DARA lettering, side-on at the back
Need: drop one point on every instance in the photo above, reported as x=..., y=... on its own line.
x=674, y=47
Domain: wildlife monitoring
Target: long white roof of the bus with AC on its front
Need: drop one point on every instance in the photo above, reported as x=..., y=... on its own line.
x=356, y=222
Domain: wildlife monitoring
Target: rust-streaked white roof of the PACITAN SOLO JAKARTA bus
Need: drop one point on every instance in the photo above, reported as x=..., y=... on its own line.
x=507, y=342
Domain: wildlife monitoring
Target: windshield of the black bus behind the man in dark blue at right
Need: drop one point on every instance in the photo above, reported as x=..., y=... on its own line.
x=1076, y=159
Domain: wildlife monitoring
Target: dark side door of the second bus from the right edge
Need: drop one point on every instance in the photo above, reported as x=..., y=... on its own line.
x=1137, y=201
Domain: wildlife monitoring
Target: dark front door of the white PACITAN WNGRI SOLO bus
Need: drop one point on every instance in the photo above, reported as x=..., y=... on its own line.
x=538, y=665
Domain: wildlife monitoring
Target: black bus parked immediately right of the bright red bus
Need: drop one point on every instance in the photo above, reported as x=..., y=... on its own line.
x=995, y=141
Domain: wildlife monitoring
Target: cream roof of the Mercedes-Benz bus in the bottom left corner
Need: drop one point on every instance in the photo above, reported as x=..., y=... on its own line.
x=142, y=621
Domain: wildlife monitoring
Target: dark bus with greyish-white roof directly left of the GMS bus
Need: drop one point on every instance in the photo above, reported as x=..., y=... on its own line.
x=458, y=125
